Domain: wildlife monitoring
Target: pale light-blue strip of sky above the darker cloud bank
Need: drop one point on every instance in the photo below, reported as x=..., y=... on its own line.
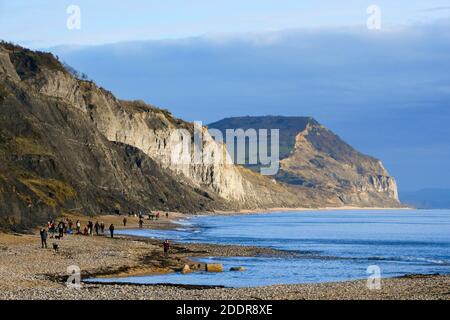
x=42, y=23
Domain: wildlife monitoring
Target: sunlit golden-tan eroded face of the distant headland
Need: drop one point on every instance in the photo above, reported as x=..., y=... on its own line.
x=321, y=159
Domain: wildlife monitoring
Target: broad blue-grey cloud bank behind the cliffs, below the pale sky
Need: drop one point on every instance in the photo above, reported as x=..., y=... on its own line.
x=380, y=90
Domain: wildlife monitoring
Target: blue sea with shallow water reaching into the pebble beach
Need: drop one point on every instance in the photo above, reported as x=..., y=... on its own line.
x=332, y=245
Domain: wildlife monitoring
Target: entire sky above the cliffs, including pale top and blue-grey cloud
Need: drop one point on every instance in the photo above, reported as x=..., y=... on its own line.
x=386, y=91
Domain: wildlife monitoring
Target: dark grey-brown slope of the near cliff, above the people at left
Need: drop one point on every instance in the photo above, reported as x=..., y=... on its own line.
x=54, y=158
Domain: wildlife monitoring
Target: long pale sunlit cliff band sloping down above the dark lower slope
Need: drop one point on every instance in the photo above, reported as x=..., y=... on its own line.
x=149, y=129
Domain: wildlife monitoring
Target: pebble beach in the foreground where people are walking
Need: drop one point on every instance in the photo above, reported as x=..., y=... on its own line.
x=29, y=272
